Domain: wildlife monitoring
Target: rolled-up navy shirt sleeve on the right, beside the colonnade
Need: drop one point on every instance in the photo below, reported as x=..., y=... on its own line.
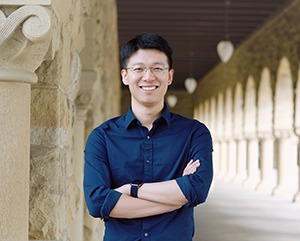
x=195, y=187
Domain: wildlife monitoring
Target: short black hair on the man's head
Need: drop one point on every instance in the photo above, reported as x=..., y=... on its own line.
x=146, y=41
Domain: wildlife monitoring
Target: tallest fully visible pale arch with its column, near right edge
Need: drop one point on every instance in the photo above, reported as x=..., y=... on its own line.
x=283, y=128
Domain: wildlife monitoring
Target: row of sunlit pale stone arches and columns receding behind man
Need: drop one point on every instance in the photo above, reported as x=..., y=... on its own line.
x=255, y=129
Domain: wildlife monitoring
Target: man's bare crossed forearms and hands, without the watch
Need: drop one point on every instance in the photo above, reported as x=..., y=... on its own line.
x=153, y=198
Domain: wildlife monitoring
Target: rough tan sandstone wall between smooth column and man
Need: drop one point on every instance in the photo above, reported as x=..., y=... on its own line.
x=82, y=79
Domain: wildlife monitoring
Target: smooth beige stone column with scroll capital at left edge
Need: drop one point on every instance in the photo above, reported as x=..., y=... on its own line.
x=23, y=45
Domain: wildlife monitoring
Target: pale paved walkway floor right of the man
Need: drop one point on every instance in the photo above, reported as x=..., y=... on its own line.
x=235, y=213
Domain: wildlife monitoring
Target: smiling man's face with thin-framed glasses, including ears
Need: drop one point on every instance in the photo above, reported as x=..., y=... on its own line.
x=147, y=88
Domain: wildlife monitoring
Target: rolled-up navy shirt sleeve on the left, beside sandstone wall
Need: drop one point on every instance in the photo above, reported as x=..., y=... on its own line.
x=99, y=196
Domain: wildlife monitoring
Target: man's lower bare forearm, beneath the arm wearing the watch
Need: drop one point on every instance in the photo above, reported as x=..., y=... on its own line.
x=130, y=207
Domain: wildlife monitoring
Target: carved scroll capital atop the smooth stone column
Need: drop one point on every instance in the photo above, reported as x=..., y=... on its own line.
x=24, y=41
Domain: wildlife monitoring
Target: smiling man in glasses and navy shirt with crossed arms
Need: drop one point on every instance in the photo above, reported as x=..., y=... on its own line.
x=140, y=176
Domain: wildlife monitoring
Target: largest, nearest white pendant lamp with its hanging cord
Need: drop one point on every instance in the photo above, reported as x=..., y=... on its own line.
x=225, y=48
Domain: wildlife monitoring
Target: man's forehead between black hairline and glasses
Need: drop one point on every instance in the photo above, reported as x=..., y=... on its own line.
x=148, y=57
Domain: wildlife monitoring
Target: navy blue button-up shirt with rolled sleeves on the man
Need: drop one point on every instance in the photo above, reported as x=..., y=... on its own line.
x=121, y=150
